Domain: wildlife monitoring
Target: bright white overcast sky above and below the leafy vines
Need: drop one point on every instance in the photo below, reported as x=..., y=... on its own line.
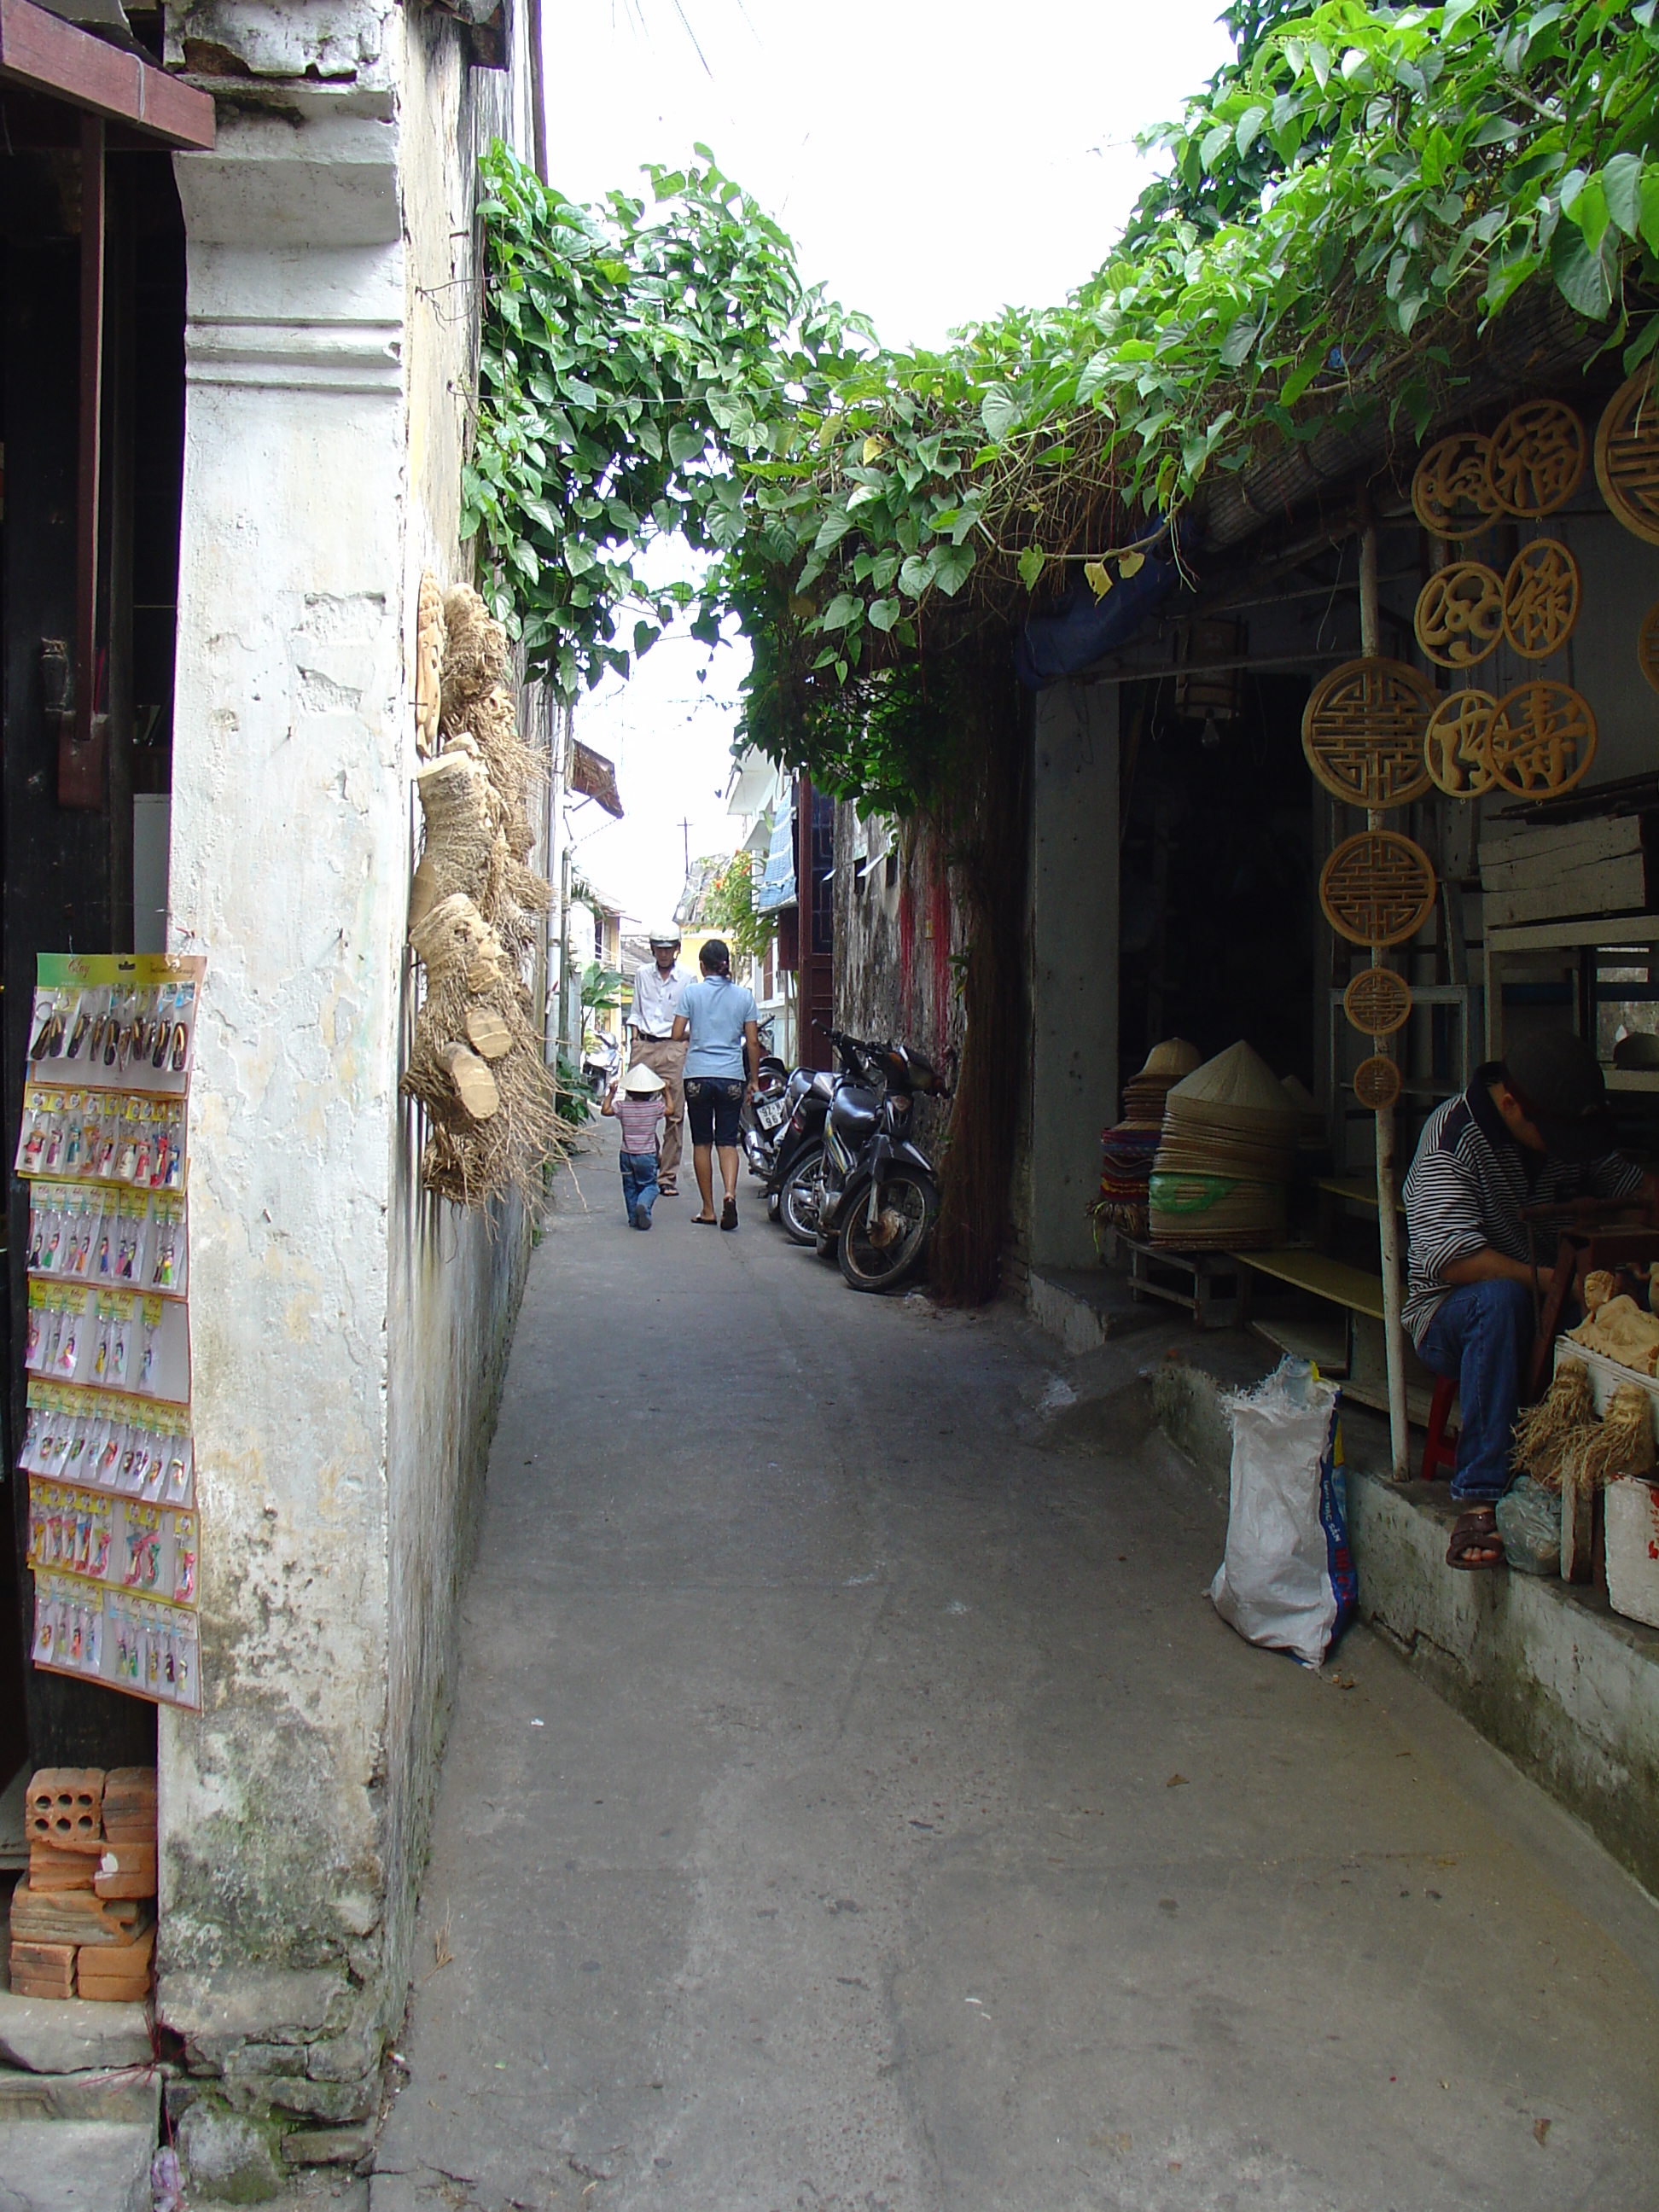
x=930, y=163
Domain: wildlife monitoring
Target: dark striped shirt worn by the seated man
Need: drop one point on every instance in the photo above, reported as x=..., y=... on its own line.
x=1468, y=1189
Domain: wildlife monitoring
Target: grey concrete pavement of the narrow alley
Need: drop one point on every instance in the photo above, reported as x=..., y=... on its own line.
x=853, y=1799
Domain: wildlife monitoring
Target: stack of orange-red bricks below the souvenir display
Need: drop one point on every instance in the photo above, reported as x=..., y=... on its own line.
x=83, y=1926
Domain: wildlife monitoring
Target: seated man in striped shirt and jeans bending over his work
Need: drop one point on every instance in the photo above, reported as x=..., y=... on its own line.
x=1534, y=1129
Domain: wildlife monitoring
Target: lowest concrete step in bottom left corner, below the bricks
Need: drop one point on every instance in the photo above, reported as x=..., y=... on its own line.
x=79, y=2142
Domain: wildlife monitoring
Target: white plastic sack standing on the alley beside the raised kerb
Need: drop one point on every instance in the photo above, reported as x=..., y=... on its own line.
x=1288, y=1576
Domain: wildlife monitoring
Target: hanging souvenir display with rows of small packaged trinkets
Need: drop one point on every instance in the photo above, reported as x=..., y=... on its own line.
x=114, y=1523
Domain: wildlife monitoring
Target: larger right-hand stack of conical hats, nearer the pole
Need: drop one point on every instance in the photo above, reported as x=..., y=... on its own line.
x=1227, y=1156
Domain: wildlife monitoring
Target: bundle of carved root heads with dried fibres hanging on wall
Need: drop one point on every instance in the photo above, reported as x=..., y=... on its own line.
x=477, y=1061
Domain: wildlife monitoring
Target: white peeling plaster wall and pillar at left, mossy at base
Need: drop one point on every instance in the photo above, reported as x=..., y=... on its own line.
x=348, y=1337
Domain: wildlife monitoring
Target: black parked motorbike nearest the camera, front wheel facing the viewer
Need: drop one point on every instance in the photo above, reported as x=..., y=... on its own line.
x=879, y=1196
